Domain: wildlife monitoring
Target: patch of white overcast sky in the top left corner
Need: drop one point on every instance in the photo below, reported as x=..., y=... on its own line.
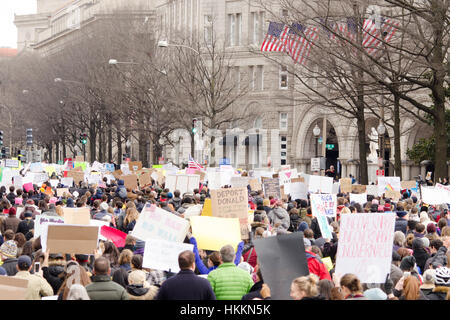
x=8, y=31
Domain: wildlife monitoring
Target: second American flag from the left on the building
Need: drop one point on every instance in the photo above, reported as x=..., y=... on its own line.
x=300, y=41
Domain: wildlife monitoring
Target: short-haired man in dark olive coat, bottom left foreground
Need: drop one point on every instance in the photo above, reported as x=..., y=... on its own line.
x=102, y=287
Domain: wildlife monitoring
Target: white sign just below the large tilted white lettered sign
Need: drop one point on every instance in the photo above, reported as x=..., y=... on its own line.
x=163, y=255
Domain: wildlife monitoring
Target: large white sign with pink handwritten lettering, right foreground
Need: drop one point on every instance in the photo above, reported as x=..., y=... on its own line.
x=365, y=246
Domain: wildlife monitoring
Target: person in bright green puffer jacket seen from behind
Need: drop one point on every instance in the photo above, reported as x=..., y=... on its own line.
x=228, y=281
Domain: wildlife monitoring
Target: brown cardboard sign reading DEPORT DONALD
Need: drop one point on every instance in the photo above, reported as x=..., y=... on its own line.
x=231, y=203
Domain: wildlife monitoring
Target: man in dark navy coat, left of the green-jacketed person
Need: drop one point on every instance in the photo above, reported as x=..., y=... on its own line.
x=186, y=285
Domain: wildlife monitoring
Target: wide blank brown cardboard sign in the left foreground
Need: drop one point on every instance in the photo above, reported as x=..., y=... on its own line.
x=71, y=239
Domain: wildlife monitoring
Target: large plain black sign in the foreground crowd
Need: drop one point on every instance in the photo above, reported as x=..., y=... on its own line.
x=281, y=259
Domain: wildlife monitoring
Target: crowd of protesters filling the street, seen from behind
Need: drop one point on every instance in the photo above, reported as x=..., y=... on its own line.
x=419, y=269
